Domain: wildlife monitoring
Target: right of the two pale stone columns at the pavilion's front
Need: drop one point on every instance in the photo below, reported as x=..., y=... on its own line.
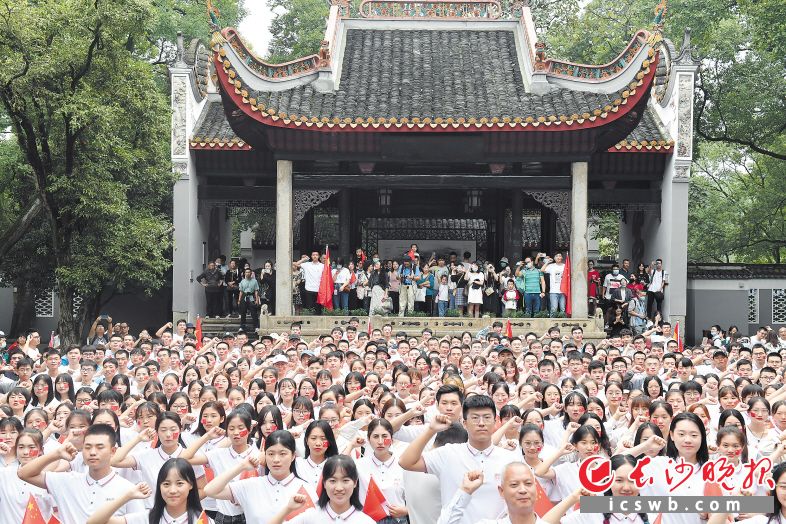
x=578, y=240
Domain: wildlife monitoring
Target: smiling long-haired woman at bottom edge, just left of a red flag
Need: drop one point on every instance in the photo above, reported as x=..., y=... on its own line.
x=339, y=500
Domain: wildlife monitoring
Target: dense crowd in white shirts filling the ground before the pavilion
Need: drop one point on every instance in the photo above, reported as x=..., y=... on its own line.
x=358, y=427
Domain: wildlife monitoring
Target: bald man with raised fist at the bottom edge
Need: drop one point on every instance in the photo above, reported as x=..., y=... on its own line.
x=516, y=487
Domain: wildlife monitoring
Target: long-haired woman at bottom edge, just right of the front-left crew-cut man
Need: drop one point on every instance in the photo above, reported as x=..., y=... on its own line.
x=176, y=499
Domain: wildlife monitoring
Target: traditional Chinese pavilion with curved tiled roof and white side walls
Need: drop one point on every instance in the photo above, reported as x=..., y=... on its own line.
x=443, y=121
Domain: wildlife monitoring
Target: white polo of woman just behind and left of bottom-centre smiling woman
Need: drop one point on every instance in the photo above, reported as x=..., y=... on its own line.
x=262, y=497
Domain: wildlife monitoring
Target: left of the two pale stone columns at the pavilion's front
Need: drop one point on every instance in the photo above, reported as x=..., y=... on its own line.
x=284, y=238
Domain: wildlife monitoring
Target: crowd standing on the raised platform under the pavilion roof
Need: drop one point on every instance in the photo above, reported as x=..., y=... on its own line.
x=629, y=298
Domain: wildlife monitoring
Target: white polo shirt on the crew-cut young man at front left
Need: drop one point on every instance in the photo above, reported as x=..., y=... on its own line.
x=77, y=495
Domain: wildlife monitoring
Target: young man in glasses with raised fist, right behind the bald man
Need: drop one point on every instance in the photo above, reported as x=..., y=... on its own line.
x=450, y=462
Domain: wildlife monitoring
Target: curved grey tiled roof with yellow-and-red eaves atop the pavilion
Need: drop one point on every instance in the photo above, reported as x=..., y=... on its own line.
x=431, y=80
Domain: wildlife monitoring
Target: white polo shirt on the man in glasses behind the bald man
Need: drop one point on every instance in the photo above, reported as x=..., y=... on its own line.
x=451, y=461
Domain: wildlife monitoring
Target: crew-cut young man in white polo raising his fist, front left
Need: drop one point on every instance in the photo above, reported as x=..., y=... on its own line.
x=77, y=495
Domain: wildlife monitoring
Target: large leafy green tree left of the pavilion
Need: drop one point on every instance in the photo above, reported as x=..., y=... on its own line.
x=93, y=129
